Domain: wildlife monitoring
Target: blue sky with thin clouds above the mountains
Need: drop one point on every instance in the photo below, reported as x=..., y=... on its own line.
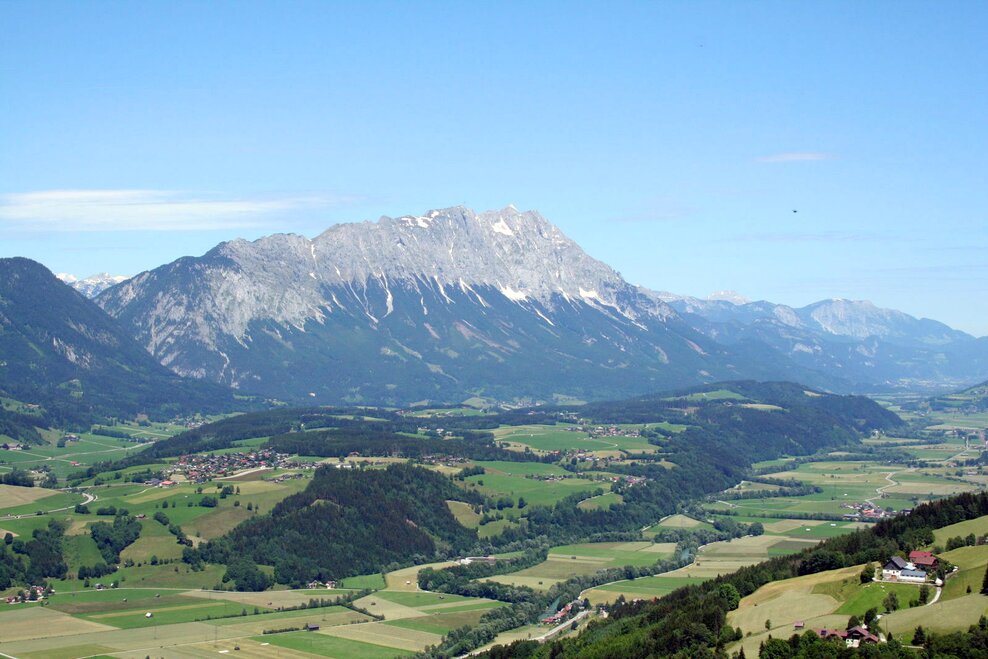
x=673, y=140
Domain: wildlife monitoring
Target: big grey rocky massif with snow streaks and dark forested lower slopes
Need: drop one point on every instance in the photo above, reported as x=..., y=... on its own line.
x=462, y=302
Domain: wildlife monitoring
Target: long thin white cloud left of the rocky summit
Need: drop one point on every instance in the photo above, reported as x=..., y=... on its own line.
x=143, y=210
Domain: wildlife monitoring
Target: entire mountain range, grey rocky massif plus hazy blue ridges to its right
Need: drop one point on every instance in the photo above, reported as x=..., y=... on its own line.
x=501, y=304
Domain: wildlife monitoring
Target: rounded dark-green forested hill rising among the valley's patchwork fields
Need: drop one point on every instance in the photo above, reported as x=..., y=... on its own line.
x=352, y=522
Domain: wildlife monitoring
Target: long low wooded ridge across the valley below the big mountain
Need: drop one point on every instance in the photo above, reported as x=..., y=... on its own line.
x=784, y=418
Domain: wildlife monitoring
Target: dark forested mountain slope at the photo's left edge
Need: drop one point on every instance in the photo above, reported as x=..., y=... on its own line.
x=61, y=351
